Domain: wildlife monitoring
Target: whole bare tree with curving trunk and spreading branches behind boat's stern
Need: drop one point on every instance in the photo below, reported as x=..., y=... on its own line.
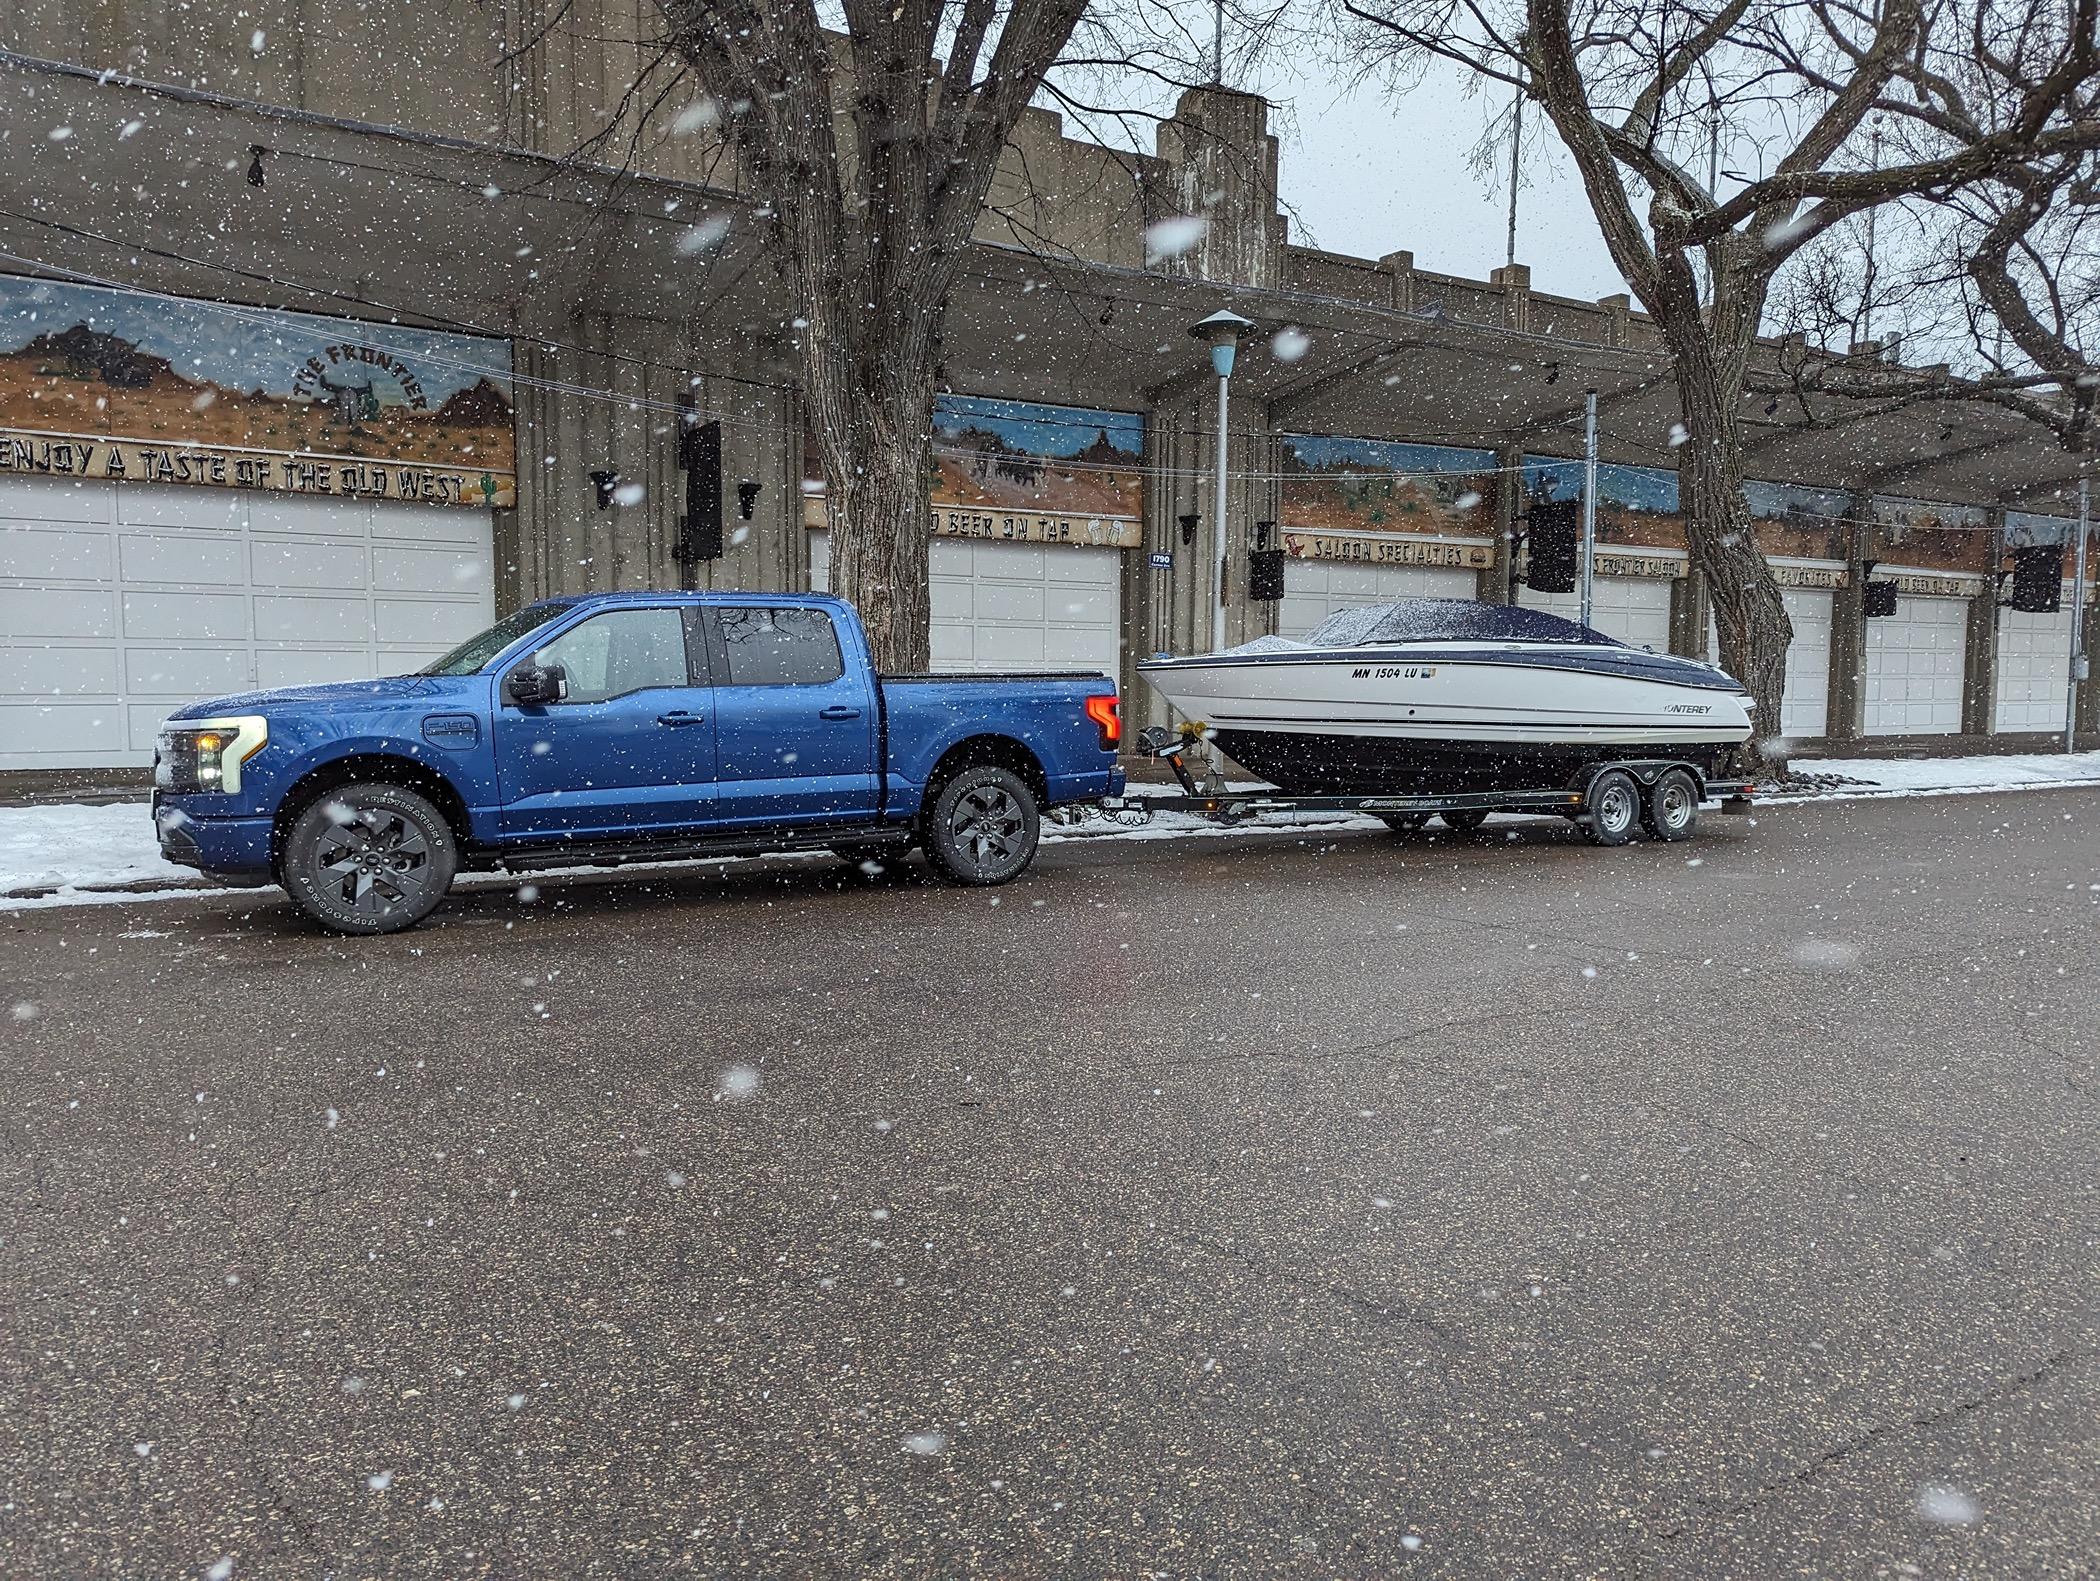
x=1635, y=89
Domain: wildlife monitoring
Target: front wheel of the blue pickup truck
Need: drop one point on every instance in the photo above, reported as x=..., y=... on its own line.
x=369, y=860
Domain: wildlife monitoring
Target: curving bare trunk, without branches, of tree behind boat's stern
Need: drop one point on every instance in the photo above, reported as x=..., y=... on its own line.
x=1748, y=610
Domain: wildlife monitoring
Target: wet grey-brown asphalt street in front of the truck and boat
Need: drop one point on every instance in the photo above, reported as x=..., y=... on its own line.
x=1259, y=1206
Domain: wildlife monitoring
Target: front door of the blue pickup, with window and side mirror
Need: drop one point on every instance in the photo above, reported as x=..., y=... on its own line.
x=629, y=749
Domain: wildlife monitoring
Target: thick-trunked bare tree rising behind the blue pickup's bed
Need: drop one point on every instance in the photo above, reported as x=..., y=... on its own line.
x=873, y=156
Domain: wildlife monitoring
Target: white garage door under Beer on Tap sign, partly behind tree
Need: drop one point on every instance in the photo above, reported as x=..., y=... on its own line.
x=1003, y=606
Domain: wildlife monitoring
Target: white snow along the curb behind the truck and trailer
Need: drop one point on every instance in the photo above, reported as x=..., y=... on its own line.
x=60, y=856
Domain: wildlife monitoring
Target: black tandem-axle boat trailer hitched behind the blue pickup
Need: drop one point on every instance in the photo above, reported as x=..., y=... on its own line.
x=1612, y=801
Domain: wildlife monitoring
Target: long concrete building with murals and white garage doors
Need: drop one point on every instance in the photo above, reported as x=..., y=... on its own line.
x=331, y=333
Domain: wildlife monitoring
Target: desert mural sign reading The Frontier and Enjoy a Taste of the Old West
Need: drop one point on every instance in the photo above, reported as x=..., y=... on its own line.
x=163, y=389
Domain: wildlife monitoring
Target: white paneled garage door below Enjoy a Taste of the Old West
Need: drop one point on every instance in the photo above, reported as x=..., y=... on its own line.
x=123, y=602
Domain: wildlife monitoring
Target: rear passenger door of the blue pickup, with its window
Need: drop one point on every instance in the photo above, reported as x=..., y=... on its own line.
x=795, y=723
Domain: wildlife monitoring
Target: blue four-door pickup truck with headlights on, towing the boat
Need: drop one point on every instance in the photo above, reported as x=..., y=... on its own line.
x=625, y=728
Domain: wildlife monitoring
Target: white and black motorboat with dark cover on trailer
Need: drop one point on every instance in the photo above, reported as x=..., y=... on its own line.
x=1433, y=696
